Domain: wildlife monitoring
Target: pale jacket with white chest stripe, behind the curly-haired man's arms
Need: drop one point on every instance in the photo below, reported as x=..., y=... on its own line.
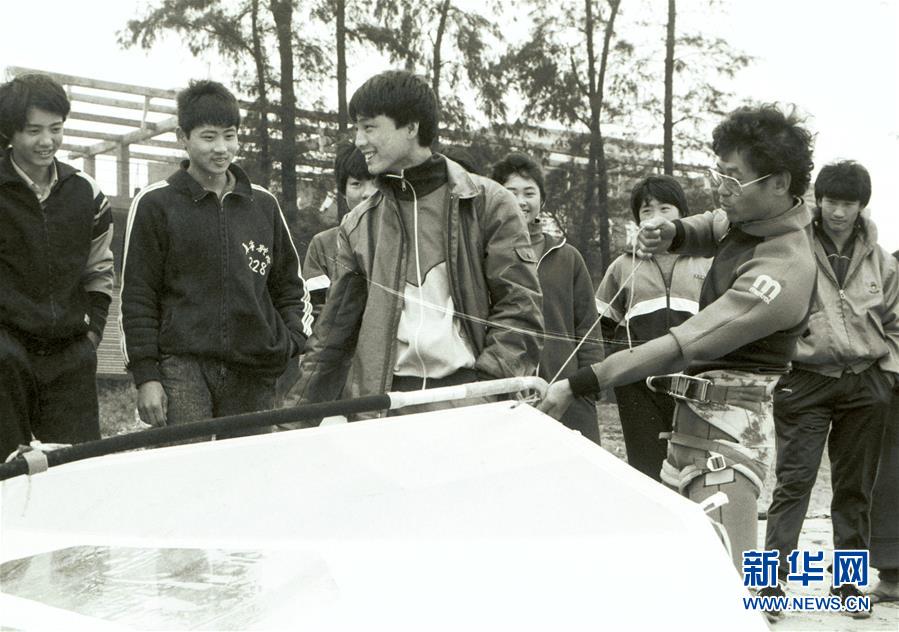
x=647, y=304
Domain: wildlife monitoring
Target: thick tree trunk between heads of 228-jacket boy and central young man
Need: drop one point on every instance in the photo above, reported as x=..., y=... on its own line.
x=282, y=12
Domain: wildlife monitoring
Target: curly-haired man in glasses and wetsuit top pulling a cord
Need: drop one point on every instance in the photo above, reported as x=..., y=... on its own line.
x=753, y=307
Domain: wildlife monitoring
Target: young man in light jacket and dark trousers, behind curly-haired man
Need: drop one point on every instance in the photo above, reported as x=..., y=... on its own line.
x=843, y=374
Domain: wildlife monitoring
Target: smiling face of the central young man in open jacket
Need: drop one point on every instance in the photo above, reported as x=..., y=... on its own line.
x=386, y=147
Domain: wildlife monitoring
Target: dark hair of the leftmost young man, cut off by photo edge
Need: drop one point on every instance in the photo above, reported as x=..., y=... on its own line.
x=24, y=92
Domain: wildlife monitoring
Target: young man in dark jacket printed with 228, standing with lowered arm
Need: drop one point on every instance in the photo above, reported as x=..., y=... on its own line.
x=213, y=303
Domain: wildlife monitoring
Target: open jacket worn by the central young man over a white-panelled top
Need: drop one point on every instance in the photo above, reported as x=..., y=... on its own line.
x=492, y=277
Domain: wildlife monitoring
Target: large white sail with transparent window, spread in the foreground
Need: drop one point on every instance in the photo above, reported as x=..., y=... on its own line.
x=489, y=517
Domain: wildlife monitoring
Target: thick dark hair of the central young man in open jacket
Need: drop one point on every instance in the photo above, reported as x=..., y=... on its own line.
x=402, y=96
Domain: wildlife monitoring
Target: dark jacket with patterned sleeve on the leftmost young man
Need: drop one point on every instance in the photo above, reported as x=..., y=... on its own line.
x=56, y=267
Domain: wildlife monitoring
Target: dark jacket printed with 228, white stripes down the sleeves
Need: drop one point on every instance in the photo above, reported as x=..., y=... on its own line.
x=213, y=279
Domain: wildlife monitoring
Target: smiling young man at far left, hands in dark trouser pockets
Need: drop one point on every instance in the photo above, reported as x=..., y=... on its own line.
x=56, y=274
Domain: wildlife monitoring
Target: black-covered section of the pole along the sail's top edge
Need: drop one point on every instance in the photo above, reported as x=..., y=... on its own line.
x=180, y=432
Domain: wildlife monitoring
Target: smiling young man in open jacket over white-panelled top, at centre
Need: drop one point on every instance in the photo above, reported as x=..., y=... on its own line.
x=436, y=280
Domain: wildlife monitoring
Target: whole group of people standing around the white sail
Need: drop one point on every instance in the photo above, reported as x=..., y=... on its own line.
x=783, y=334
